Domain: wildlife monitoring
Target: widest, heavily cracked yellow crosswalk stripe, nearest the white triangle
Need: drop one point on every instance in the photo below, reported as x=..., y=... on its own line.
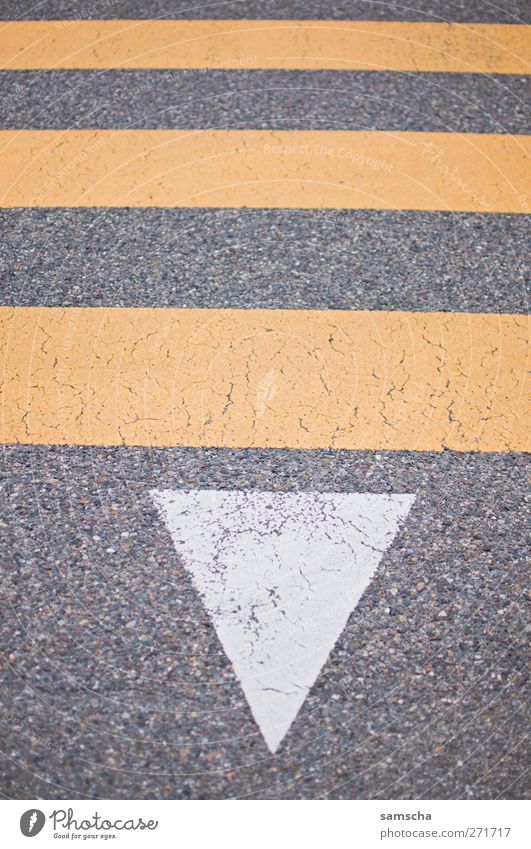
x=264, y=378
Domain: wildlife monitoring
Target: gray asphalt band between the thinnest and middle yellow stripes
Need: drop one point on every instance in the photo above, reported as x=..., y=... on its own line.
x=261, y=100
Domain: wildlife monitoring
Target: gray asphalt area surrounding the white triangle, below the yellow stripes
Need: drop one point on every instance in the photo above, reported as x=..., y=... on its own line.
x=115, y=685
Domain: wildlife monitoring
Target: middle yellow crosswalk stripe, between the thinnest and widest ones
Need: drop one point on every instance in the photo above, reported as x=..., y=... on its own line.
x=258, y=168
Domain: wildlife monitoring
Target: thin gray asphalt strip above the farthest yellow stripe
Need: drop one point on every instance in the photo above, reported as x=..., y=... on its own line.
x=479, y=11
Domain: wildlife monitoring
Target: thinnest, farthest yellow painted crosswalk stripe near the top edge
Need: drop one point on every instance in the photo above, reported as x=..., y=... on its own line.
x=354, y=45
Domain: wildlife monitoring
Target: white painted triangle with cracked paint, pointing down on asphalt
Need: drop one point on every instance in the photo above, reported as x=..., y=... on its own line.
x=279, y=574
